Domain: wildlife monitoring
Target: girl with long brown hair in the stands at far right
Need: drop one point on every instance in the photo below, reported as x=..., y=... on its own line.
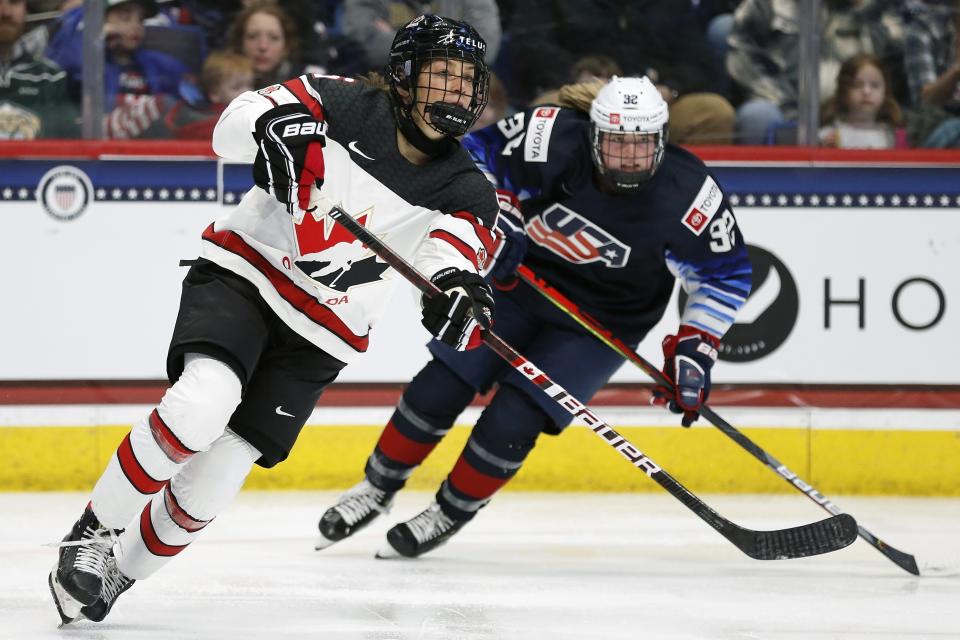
x=862, y=114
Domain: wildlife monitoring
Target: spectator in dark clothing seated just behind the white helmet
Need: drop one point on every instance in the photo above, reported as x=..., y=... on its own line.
x=661, y=39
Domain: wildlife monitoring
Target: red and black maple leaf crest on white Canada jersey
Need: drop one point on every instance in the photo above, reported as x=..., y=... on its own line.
x=334, y=258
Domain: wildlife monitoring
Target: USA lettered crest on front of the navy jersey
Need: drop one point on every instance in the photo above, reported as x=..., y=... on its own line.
x=566, y=233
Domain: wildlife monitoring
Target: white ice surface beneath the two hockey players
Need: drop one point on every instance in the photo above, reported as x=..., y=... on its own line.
x=530, y=566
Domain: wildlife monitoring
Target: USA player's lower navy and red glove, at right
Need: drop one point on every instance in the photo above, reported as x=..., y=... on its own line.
x=688, y=358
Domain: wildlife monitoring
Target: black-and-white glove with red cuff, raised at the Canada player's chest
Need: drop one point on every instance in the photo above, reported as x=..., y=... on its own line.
x=290, y=156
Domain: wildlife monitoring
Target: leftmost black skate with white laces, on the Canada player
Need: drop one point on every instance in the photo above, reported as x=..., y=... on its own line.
x=77, y=579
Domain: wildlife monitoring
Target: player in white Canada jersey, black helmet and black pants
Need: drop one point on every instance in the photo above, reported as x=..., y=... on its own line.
x=282, y=298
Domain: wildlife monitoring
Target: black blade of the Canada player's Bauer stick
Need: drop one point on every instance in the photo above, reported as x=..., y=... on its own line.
x=806, y=540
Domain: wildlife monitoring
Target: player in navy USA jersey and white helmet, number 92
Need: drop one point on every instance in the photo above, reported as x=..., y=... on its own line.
x=612, y=216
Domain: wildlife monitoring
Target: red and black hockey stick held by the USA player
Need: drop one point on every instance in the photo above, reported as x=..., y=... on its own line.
x=903, y=560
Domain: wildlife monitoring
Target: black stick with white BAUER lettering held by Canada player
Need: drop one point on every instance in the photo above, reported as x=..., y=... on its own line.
x=811, y=539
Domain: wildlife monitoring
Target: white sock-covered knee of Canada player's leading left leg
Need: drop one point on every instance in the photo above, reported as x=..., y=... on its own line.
x=198, y=406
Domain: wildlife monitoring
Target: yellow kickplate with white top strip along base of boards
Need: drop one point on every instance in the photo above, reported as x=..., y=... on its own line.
x=867, y=452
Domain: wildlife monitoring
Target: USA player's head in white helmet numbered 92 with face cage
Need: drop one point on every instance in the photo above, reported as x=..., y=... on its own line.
x=628, y=128
